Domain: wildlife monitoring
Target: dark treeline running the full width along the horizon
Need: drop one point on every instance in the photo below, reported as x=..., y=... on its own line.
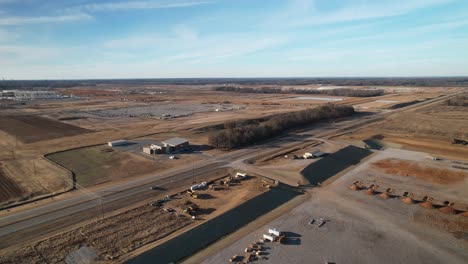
x=390, y=81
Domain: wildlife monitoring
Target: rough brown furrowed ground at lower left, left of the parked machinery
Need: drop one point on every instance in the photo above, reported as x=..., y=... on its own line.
x=110, y=237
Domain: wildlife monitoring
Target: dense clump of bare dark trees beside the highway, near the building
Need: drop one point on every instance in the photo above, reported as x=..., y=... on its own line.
x=242, y=133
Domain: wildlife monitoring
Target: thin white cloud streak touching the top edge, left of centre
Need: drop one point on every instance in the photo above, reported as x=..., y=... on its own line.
x=129, y=5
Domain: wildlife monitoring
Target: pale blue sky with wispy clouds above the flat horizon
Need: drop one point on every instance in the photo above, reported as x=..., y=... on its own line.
x=78, y=39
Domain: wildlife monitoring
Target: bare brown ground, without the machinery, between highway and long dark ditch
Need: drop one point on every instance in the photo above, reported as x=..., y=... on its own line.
x=116, y=236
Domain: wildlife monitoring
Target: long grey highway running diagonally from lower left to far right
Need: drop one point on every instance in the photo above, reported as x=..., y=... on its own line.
x=54, y=216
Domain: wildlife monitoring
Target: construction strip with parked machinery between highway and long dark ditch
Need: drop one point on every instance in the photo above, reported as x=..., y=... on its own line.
x=117, y=235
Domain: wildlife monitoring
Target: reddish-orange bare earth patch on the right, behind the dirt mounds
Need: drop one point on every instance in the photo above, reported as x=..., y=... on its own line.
x=409, y=169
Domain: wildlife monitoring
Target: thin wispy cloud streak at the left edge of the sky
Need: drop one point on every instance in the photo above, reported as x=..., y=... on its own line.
x=18, y=20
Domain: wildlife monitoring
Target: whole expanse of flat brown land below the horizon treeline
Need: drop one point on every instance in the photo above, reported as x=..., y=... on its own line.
x=120, y=173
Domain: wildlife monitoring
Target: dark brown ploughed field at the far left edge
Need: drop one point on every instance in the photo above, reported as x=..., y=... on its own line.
x=29, y=129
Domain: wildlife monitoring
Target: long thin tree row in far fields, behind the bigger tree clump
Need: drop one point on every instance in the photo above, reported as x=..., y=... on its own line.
x=333, y=92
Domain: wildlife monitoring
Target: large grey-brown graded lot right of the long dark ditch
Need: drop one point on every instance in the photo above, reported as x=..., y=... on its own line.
x=361, y=228
